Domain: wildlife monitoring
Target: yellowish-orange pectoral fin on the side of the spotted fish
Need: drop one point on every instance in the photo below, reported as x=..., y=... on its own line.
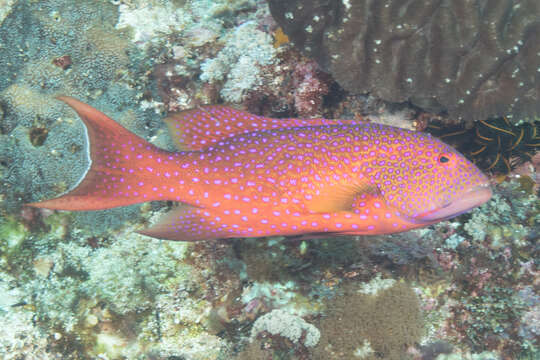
x=340, y=197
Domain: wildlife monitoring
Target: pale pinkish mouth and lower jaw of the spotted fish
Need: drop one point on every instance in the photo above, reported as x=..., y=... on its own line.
x=472, y=198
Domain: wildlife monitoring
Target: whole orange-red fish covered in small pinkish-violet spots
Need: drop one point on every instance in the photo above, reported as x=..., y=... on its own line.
x=242, y=175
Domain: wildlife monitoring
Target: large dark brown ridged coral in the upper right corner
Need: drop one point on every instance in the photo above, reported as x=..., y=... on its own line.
x=472, y=59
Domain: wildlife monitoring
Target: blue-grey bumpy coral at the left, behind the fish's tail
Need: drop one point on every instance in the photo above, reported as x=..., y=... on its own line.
x=34, y=126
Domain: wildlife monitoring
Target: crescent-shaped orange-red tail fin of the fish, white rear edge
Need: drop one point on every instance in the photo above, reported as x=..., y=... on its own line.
x=121, y=170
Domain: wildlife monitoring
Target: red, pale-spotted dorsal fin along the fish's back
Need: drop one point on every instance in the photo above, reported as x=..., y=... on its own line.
x=197, y=129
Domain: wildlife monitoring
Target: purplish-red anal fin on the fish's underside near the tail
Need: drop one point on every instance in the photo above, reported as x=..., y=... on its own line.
x=185, y=223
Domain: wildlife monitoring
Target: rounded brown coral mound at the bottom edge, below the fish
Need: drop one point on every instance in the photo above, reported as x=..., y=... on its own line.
x=386, y=323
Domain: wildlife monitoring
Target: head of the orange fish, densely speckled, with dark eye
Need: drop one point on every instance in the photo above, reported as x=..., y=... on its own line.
x=432, y=181
